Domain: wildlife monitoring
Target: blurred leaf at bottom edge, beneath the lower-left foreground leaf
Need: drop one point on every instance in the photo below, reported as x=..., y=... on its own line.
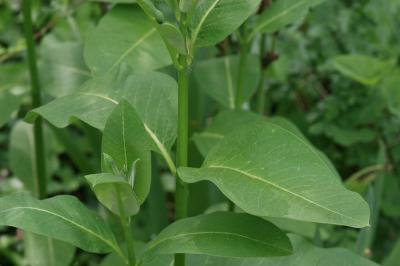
x=45, y=251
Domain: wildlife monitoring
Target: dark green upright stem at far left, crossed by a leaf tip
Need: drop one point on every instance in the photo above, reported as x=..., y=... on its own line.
x=36, y=102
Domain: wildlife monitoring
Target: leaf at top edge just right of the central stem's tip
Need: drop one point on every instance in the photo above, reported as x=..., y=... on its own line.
x=214, y=20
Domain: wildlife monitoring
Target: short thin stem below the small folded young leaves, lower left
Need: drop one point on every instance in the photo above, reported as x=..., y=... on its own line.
x=126, y=228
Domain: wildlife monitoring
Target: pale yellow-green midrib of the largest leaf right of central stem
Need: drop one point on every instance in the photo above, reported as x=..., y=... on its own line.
x=255, y=177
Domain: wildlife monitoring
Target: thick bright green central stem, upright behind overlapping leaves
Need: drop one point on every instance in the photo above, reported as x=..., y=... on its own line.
x=181, y=193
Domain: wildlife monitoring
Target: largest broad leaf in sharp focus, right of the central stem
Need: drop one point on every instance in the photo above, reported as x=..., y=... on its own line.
x=268, y=170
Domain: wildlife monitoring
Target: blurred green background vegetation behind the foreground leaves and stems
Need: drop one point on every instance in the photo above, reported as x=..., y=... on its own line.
x=354, y=121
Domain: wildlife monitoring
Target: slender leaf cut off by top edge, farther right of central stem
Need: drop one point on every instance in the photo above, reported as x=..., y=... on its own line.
x=282, y=13
